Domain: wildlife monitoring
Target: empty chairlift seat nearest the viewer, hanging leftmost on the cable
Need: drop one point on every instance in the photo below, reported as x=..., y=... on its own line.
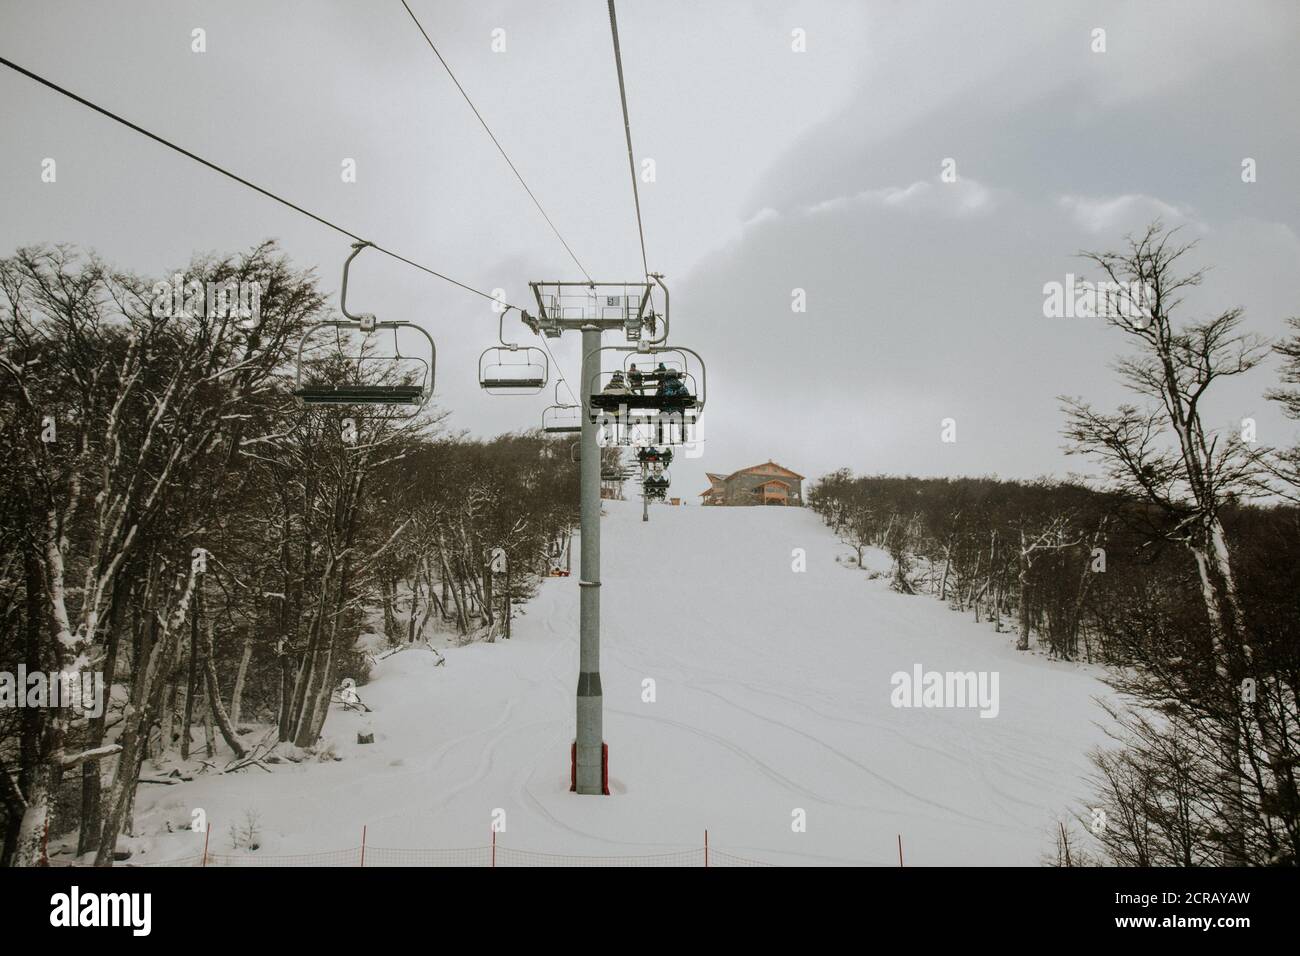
x=405, y=383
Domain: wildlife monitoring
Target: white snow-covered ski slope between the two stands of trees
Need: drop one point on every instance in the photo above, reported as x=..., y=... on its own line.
x=773, y=694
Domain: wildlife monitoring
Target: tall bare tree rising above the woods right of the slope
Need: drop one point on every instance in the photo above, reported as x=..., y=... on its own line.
x=1162, y=453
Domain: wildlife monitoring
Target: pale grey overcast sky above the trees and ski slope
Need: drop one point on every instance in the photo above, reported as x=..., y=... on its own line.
x=775, y=171
